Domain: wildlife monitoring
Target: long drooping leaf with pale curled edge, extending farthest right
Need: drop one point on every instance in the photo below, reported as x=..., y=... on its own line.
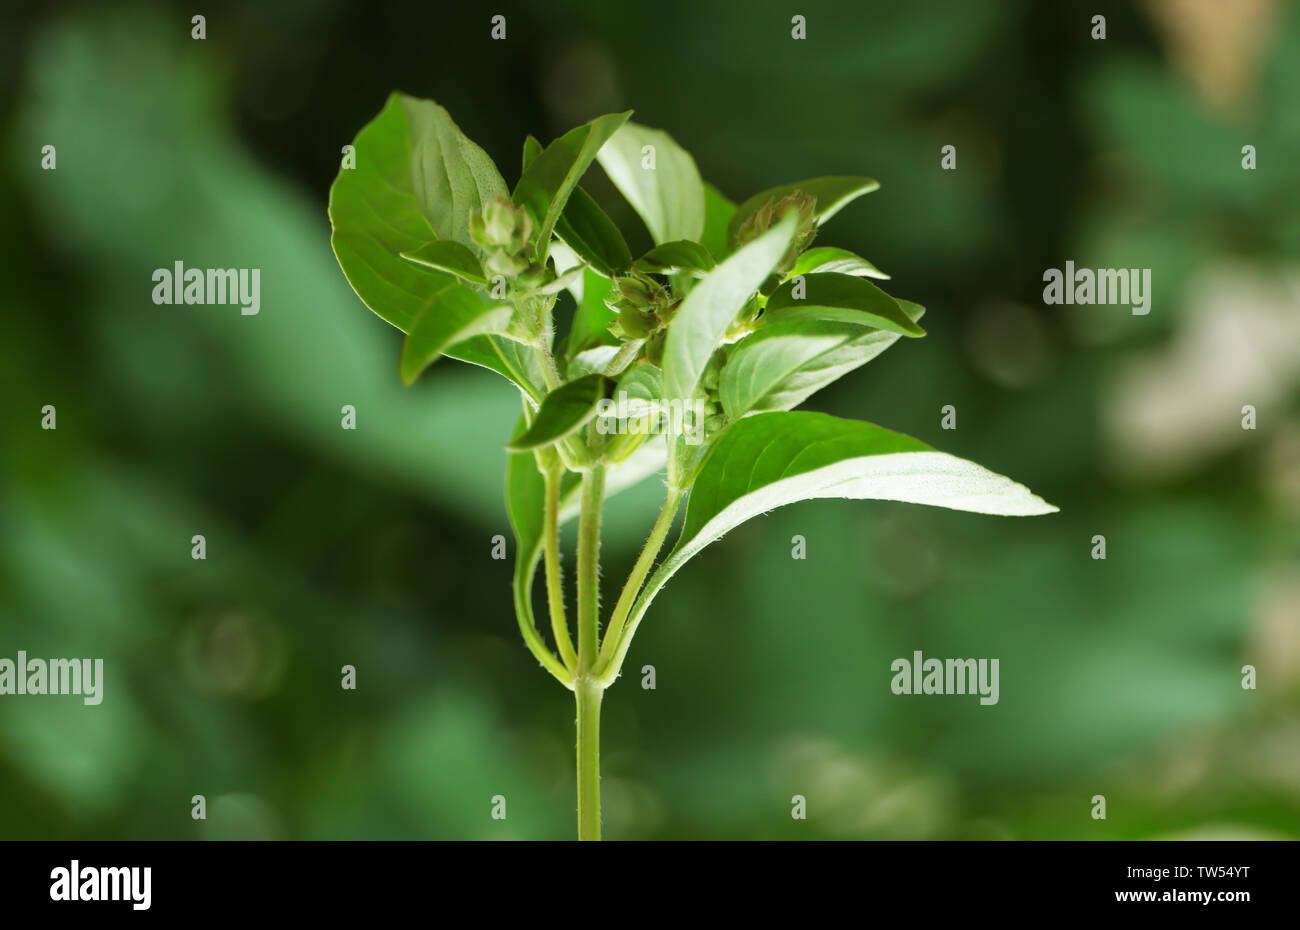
x=772, y=460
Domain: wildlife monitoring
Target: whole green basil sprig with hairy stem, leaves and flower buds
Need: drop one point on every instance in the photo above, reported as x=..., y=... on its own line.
x=687, y=361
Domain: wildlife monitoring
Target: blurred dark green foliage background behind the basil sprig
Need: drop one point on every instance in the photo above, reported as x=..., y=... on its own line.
x=371, y=548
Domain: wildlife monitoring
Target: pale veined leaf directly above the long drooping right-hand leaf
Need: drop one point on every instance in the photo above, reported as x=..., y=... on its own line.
x=781, y=365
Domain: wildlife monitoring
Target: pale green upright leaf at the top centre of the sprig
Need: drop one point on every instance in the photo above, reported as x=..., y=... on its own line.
x=670, y=196
